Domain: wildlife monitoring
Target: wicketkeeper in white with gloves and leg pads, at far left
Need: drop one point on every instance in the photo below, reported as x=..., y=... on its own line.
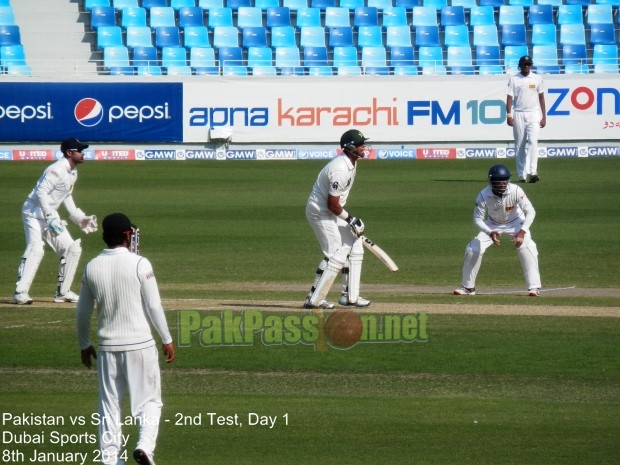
x=42, y=224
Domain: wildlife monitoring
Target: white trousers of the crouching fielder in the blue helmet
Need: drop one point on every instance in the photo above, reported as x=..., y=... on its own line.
x=528, y=254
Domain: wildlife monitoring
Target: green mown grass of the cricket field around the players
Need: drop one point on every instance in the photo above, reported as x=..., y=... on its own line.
x=482, y=390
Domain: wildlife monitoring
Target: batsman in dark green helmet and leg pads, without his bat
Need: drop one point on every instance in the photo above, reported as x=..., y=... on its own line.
x=337, y=231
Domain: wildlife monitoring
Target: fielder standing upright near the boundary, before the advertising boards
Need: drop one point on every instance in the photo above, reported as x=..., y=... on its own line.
x=526, y=114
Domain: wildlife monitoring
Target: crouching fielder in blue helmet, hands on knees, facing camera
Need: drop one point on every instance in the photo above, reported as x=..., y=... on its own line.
x=501, y=209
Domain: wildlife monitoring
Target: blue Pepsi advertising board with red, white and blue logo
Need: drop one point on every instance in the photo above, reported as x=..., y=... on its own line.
x=137, y=112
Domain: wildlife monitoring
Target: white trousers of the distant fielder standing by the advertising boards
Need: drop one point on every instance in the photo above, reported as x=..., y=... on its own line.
x=525, y=128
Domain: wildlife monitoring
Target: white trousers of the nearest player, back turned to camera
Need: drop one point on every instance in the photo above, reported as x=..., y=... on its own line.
x=138, y=372
